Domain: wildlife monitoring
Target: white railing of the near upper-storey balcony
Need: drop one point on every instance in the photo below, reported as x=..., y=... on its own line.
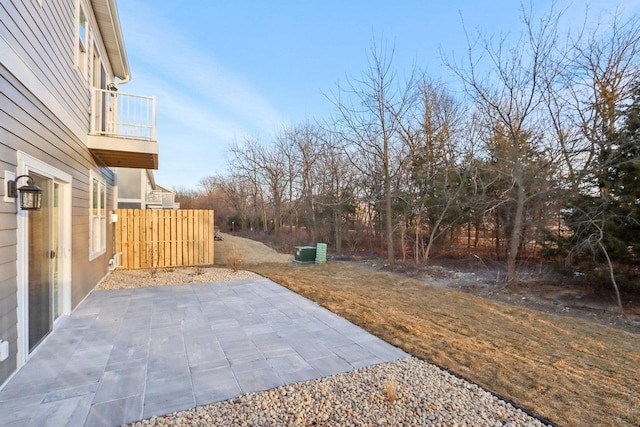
x=123, y=115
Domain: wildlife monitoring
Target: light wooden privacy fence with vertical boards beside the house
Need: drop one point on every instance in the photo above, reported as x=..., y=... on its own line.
x=148, y=238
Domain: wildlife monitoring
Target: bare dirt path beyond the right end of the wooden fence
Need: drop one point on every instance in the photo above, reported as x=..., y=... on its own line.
x=251, y=252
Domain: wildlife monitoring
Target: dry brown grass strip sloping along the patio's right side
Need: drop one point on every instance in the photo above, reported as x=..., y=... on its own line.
x=570, y=371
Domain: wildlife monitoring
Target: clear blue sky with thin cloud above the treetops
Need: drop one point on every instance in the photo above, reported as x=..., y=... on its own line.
x=225, y=70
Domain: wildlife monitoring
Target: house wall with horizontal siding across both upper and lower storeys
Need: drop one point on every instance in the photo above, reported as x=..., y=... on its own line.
x=45, y=115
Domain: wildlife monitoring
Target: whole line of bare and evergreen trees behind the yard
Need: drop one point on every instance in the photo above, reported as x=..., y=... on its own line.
x=537, y=155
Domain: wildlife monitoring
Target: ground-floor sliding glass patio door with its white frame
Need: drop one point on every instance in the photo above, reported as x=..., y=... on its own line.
x=44, y=256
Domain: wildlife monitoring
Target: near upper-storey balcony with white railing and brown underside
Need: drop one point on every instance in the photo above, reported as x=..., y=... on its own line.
x=123, y=130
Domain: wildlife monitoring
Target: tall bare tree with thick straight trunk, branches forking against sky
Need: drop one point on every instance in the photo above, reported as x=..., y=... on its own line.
x=505, y=83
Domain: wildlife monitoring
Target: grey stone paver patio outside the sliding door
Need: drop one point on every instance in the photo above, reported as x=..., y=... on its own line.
x=129, y=354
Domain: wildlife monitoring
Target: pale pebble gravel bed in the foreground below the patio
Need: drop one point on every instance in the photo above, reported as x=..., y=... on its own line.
x=408, y=392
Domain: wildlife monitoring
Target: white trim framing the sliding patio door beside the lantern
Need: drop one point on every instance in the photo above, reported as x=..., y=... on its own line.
x=27, y=164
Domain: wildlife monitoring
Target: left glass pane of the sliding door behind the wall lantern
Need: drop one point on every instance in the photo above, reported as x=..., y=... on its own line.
x=39, y=265
